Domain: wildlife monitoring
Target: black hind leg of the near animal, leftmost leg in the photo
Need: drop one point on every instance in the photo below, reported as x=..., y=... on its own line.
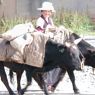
x=4, y=79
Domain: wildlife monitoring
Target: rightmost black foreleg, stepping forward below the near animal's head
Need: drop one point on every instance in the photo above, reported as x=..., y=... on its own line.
x=72, y=78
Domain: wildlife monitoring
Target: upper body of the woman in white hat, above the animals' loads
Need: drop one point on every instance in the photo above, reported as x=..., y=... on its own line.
x=45, y=22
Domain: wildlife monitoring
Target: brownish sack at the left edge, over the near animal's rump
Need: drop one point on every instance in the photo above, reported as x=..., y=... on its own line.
x=8, y=53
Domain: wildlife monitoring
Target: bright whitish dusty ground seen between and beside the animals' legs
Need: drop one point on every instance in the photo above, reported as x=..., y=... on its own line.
x=85, y=81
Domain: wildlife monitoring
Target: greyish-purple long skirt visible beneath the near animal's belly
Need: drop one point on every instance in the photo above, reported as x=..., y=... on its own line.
x=53, y=77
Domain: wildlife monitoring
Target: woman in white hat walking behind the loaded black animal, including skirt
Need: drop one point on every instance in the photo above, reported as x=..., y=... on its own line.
x=45, y=23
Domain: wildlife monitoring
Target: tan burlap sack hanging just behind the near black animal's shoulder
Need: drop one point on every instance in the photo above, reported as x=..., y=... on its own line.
x=35, y=52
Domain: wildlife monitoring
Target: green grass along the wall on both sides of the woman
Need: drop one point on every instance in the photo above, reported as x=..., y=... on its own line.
x=79, y=23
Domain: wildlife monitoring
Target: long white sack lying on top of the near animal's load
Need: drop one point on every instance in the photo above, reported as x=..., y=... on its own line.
x=17, y=31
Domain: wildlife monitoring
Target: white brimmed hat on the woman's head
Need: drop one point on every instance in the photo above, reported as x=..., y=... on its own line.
x=47, y=6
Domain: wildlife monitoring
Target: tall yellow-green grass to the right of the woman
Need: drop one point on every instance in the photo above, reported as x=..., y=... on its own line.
x=79, y=23
